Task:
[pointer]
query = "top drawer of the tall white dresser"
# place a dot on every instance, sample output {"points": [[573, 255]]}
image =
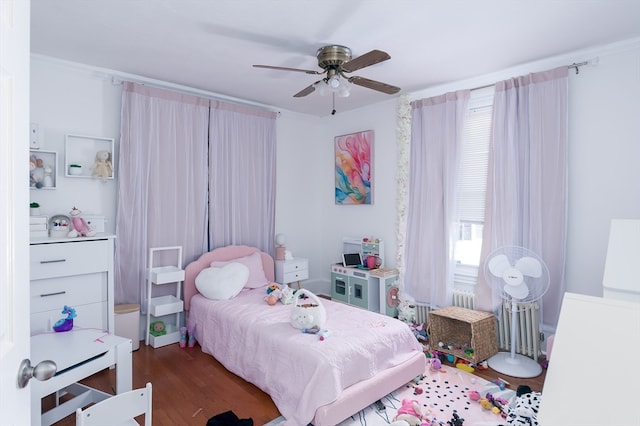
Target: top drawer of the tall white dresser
{"points": [[69, 258]]}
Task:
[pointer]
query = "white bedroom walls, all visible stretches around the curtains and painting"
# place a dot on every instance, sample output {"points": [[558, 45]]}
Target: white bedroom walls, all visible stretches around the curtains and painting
{"points": [[604, 111]]}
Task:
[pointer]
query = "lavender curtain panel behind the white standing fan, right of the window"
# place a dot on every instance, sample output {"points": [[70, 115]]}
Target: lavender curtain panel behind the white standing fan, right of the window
{"points": [[527, 180]]}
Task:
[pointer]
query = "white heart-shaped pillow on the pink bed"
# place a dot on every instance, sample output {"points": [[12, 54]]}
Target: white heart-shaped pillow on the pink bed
{"points": [[222, 283]]}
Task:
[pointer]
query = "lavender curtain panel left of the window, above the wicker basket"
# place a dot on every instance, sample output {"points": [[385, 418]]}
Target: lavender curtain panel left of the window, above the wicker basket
{"points": [[436, 135]]}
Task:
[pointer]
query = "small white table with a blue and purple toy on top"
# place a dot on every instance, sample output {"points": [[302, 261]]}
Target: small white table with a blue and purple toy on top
{"points": [[78, 354]]}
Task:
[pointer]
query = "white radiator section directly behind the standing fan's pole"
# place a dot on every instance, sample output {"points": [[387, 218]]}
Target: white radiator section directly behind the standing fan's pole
{"points": [[528, 333]]}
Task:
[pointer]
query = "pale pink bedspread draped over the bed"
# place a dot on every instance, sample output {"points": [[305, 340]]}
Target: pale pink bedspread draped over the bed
{"points": [[299, 371]]}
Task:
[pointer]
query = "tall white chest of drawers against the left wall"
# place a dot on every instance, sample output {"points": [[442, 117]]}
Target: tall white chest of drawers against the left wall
{"points": [[76, 272]]}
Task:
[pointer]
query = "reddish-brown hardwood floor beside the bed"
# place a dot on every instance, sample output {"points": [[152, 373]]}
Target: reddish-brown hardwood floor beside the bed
{"points": [[189, 387]]}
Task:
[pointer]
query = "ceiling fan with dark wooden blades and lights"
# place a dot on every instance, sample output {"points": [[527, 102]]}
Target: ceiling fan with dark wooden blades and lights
{"points": [[336, 63]]}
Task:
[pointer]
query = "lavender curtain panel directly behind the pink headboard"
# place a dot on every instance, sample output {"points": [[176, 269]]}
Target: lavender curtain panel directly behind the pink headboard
{"points": [[242, 163]]}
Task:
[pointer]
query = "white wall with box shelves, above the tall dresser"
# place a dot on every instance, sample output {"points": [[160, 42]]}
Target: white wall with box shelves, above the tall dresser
{"points": [[68, 99]]}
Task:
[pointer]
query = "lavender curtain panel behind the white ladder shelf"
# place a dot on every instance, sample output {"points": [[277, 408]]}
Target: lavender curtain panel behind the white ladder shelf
{"points": [[162, 181]]}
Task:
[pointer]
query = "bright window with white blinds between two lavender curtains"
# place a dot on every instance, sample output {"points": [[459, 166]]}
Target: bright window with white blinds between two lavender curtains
{"points": [[471, 187]]}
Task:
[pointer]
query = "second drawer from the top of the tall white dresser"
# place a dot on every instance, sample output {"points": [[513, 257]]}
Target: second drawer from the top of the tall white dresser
{"points": [[73, 291]]}
